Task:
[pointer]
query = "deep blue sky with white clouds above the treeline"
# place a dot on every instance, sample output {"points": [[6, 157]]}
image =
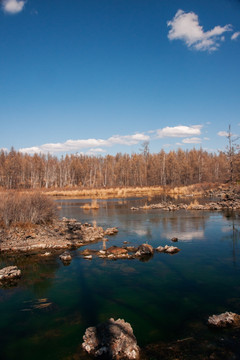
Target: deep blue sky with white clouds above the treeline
{"points": [[103, 76]]}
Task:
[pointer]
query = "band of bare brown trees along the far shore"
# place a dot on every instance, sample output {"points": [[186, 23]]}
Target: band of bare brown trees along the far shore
{"points": [[22, 171]]}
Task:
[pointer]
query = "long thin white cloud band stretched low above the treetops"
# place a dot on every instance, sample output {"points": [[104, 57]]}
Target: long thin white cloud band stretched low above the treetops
{"points": [[76, 145]]}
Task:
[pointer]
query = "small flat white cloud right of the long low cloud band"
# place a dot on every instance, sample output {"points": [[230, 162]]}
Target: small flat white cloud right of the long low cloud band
{"points": [[179, 131]]}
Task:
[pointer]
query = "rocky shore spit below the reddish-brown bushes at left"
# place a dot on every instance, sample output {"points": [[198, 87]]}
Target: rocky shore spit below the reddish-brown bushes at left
{"points": [[61, 234]]}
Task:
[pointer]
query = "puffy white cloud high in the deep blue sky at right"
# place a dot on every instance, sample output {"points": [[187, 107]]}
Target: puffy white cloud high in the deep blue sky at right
{"points": [[185, 26]]}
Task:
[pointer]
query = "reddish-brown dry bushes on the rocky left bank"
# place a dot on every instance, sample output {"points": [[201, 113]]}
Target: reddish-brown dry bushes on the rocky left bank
{"points": [[26, 208]]}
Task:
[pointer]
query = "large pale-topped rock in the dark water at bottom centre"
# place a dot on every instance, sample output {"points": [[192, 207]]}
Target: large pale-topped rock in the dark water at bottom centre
{"points": [[113, 339]]}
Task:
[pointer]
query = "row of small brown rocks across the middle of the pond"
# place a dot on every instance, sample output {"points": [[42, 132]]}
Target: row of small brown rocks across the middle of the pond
{"points": [[128, 252]]}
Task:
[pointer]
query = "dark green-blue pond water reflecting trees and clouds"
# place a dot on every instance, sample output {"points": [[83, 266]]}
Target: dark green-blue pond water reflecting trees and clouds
{"points": [[164, 299]]}
